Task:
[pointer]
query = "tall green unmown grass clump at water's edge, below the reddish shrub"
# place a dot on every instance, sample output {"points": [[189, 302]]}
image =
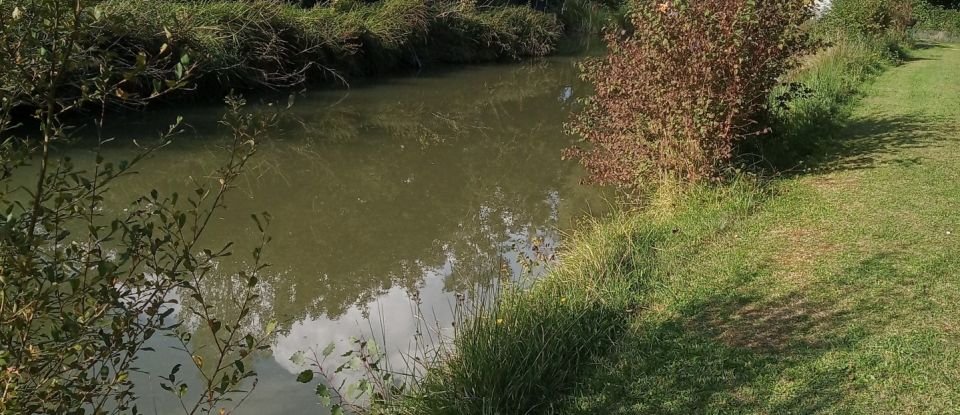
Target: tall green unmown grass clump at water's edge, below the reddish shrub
{"points": [[524, 353]]}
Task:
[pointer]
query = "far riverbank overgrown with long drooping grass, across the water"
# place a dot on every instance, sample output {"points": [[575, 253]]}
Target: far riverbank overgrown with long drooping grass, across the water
{"points": [[267, 44]]}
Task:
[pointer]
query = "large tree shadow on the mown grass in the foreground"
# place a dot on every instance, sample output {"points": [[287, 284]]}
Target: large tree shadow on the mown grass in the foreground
{"points": [[737, 352]]}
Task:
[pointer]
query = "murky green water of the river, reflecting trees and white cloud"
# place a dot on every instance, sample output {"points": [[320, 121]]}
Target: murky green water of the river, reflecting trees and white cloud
{"points": [[414, 187]]}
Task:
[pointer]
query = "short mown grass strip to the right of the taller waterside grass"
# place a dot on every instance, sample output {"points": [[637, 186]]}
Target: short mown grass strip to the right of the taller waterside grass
{"points": [[835, 290]]}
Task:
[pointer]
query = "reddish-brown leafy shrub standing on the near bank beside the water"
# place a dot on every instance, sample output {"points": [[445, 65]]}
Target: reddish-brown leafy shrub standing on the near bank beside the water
{"points": [[691, 79]]}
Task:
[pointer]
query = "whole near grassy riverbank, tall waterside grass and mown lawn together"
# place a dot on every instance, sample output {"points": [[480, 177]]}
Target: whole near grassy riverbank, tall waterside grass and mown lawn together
{"points": [[826, 288]]}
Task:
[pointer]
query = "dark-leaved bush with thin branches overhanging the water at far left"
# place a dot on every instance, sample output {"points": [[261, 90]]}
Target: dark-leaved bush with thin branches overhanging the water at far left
{"points": [[83, 289]]}
